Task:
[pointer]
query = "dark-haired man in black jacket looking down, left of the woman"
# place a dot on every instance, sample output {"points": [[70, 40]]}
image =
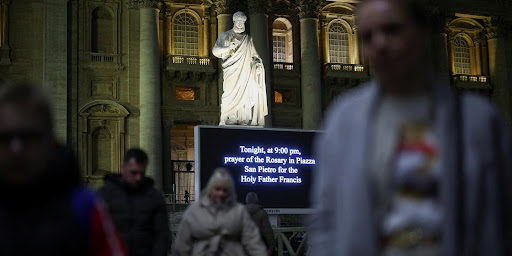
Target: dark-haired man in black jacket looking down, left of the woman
{"points": [[137, 208]]}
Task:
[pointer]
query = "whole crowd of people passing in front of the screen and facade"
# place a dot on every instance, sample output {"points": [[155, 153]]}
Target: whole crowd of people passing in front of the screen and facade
{"points": [[406, 166]]}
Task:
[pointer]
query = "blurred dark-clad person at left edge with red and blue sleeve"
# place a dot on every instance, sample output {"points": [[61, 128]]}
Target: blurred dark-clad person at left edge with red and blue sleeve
{"points": [[66, 219]]}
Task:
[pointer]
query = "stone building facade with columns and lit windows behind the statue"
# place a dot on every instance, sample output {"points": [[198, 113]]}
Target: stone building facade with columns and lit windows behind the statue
{"points": [[140, 73]]}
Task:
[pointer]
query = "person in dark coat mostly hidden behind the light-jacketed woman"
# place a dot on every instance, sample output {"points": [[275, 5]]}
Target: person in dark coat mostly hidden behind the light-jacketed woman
{"points": [[260, 217]]}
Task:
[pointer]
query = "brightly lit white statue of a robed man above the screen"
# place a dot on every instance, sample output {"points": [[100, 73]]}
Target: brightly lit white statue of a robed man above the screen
{"points": [[244, 97]]}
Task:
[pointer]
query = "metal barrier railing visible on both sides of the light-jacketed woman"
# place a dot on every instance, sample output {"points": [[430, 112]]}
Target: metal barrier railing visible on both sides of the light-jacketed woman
{"points": [[290, 241]]}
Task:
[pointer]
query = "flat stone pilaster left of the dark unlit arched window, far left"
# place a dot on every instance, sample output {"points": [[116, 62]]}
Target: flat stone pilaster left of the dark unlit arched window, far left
{"points": [[55, 63]]}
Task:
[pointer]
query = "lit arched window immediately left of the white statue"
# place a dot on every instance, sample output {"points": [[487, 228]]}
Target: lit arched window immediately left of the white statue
{"points": [[186, 35]]}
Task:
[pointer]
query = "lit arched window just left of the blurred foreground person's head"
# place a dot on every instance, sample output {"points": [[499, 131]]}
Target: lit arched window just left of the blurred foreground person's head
{"points": [[338, 43]]}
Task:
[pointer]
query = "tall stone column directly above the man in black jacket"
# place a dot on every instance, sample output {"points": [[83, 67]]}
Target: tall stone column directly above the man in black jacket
{"points": [[149, 90]]}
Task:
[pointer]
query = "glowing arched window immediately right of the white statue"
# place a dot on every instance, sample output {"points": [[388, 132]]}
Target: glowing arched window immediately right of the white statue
{"points": [[282, 42]]}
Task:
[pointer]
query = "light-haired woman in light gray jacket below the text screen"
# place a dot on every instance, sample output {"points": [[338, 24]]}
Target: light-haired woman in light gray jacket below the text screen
{"points": [[217, 225]]}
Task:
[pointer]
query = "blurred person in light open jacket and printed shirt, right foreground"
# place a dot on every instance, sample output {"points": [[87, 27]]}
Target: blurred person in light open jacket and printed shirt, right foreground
{"points": [[406, 166]]}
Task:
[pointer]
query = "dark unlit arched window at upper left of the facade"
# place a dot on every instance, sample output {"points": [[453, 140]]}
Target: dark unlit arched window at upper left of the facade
{"points": [[101, 31]]}
